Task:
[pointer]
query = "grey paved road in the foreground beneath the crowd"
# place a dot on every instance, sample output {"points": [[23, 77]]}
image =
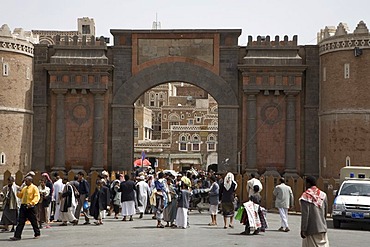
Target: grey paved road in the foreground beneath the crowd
{"points": [[142, 232]]}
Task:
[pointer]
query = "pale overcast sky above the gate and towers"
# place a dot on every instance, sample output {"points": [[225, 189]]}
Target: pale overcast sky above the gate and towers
{"points": [[261, 17]]}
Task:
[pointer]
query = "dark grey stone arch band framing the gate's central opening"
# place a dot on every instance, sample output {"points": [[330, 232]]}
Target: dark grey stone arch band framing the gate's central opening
{"points": [[126, 95]]}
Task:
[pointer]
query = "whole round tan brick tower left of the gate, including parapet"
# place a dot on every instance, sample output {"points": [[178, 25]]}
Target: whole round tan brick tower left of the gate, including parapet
{"points": [[16, 96]]}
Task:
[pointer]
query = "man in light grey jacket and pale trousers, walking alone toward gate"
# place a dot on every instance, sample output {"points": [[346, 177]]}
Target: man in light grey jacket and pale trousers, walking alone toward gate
{"points": [[284, 201]]}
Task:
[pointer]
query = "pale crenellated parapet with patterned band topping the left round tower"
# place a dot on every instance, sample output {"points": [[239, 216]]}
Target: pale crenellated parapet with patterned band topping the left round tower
{"points": [[18, 41]]}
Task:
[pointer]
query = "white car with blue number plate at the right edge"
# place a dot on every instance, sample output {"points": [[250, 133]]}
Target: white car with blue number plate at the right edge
{"points": [[352, 203]]}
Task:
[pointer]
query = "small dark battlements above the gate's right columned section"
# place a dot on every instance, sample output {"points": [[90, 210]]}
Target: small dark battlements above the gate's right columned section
{"points": [[266, 42]]}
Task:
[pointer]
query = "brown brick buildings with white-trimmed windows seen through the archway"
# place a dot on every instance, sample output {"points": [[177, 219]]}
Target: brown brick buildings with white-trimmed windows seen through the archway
{"points": [[175, 127]]}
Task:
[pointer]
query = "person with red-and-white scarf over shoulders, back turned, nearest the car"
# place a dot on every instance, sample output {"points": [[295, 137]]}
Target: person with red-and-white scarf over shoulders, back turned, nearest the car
{"points": [[314, 208]]}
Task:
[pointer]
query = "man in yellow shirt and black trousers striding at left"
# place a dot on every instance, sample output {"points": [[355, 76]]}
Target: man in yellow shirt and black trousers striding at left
{"points": [[29, 196]]}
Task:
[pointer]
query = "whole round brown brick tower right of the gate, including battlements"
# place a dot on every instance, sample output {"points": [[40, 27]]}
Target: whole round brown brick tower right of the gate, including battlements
{"points": [[344, 98]]}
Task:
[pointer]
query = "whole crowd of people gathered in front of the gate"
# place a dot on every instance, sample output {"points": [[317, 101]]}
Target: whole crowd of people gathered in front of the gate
{"points": [[167, 195]]}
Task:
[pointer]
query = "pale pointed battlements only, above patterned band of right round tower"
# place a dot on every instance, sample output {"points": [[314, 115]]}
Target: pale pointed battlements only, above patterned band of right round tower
{"points": [[331, 32]]}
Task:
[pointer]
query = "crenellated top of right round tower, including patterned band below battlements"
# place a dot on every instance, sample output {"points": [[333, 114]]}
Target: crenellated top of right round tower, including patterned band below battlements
{"points": [[331, 39]]}
